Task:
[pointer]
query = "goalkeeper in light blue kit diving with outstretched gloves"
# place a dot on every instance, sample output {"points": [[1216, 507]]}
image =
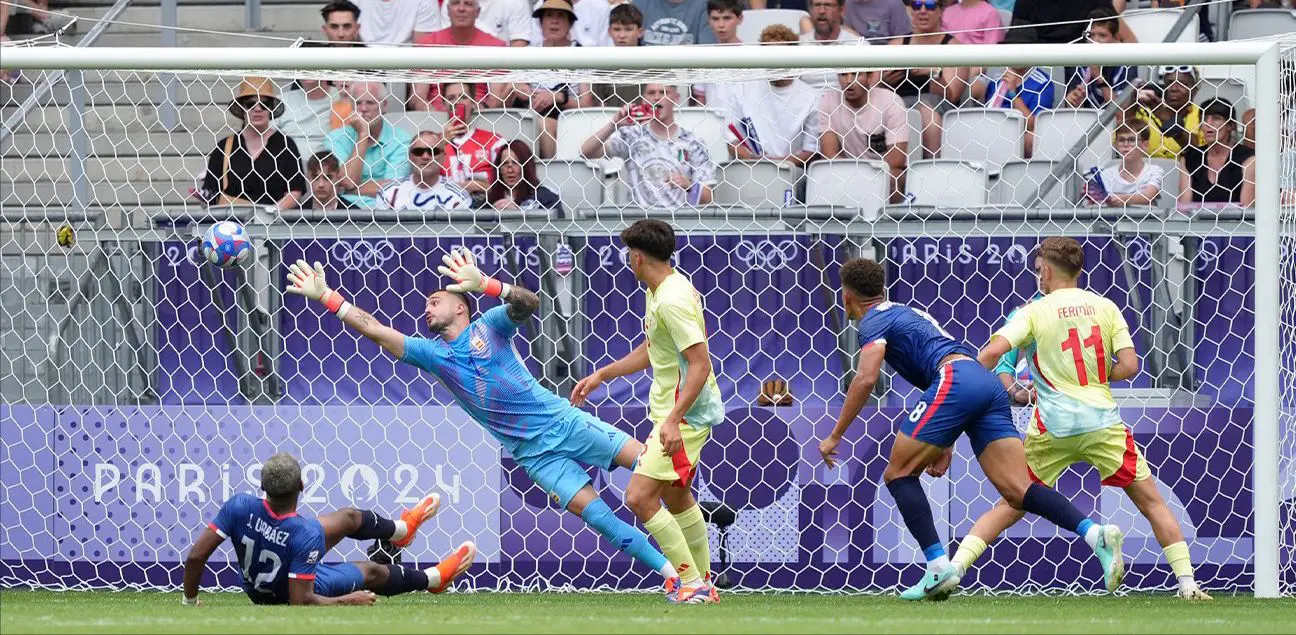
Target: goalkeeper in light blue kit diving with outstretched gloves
{"points": [[476, 361]]}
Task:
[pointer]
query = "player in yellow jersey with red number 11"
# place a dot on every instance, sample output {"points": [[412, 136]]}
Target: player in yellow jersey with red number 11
{"points": [[1076, 344]]}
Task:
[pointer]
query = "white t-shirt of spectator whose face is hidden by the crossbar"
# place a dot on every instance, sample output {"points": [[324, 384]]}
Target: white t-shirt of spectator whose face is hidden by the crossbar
{"points": [[781, 121]]}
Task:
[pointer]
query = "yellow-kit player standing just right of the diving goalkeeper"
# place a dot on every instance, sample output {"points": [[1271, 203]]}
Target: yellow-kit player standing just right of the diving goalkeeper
{"points": [[685, 404]]}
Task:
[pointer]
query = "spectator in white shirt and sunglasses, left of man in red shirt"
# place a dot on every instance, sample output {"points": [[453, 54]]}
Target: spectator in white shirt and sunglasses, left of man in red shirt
{"points": [[423, 189]]}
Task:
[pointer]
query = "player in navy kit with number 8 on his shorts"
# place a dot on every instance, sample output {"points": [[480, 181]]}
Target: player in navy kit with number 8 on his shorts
{"points": [[960, 397]]}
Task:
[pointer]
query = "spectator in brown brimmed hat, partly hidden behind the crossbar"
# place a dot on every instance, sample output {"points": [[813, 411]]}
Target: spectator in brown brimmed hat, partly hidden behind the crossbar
{"points": [[550, 100]]}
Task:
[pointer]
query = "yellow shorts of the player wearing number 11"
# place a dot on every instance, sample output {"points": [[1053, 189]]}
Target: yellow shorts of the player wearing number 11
{"points": [[1111, 452]]}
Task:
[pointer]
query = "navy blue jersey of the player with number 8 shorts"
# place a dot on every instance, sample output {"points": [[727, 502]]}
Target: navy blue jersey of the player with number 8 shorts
{"points": [[916, 343]]}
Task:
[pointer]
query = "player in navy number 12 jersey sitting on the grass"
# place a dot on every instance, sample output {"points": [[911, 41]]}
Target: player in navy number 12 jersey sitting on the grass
{"points": [[279, 551]]}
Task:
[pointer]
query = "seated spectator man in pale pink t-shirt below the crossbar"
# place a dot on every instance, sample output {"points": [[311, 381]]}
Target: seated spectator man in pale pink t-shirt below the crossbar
{"points": [[866, 121]]}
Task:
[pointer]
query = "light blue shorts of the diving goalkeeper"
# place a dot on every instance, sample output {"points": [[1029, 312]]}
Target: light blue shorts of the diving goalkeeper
{"points": [[557, 459]]}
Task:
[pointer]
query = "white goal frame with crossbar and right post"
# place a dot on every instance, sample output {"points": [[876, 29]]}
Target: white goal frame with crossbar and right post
{"points": [[1263, 56]]}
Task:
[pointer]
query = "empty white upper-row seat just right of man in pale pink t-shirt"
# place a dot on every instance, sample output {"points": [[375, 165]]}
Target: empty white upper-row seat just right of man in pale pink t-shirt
{"points": [[987, 135]]}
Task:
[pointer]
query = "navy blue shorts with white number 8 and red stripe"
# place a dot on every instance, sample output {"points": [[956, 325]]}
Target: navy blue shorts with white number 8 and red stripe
{"points": [[966, 398]]}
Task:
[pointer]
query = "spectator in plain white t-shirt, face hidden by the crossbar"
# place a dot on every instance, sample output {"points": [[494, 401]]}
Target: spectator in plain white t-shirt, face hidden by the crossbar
{"points": [[774, 120]]}
